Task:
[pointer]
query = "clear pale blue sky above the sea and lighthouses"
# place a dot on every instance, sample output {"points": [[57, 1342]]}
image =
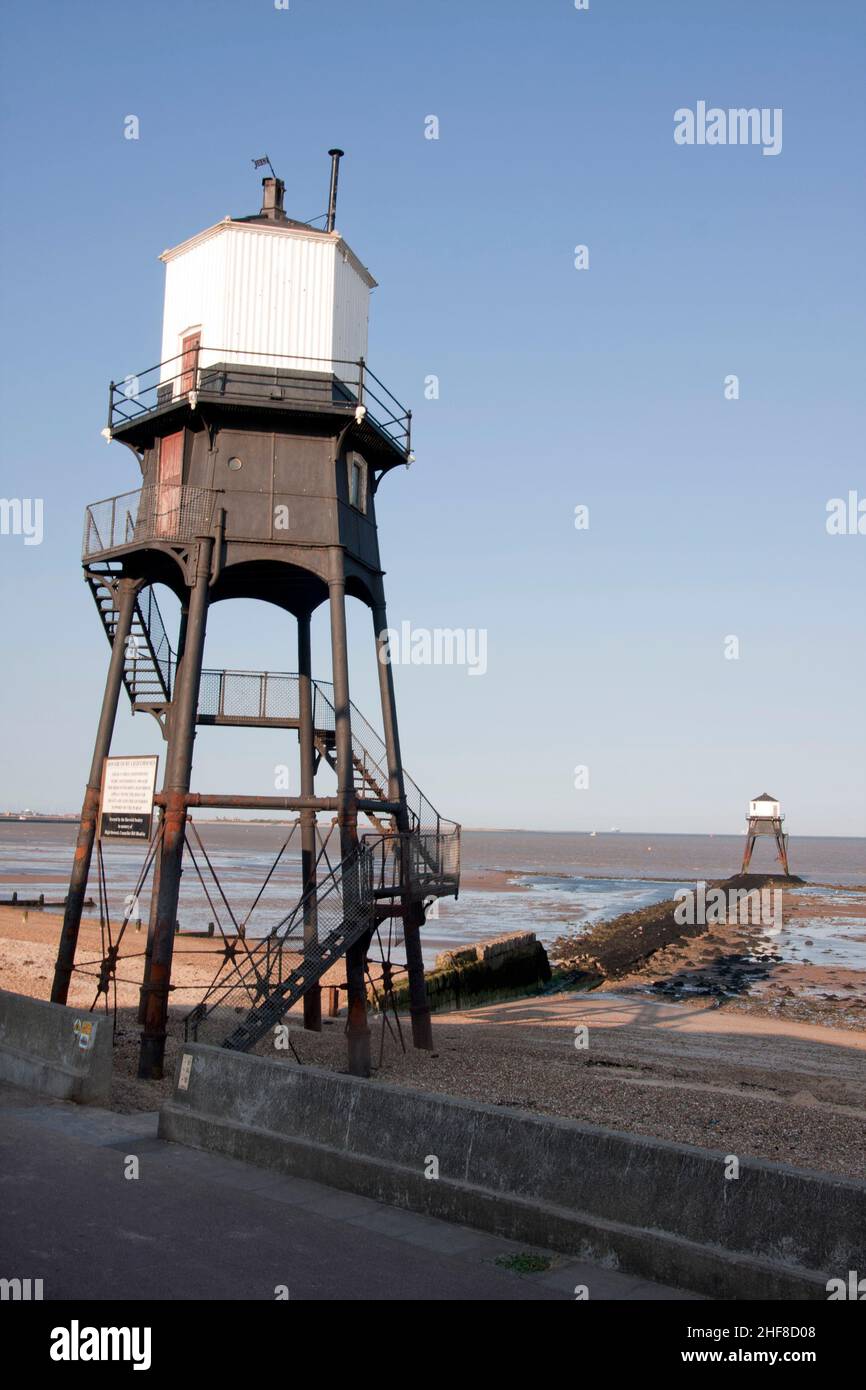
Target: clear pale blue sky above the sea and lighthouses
{"points": [[558, 387]]}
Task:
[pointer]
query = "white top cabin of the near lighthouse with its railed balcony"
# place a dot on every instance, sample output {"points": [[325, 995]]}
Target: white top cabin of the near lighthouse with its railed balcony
{"points": [[269, 312]]}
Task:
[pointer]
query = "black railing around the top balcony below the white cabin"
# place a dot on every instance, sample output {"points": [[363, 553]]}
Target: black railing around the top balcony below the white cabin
{"points": [[295, 382]]}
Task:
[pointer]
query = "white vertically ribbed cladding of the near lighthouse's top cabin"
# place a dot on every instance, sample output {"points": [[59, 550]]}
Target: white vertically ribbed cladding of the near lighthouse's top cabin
{"points": [[266, 294]]}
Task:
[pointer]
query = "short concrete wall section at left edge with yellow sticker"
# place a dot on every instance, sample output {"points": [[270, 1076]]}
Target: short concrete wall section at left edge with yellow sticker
{"points": [[54, 1050]]}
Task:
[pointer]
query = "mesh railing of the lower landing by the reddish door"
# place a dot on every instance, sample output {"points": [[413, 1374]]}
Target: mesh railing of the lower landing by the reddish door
{"points": [[168, 514]]}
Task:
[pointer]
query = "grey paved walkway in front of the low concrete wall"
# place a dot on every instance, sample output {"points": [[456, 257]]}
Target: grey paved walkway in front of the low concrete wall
{"points": [[195, 1225]]}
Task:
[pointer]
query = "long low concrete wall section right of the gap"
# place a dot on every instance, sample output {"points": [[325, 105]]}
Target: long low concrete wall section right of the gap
{"points": [[662, 1211]]}
